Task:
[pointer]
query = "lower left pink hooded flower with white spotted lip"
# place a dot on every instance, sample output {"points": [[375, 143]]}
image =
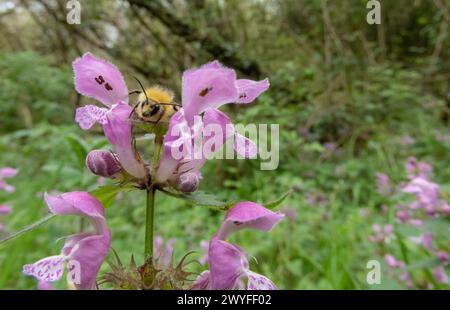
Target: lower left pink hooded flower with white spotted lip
{"points": [[82, 253]]}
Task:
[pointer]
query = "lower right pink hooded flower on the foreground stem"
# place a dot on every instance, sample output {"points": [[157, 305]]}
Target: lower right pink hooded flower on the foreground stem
{"points": [[228, 263]]}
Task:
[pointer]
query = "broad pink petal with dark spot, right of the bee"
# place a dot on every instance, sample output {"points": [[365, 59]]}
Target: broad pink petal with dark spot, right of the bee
{"points": [[207, 87]]}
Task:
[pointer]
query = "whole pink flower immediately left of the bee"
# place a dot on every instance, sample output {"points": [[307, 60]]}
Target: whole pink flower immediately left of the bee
{"points": [[102, 81]]}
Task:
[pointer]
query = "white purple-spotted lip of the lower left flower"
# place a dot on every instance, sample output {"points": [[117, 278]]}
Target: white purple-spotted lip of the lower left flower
{"points": [[48, 269]]}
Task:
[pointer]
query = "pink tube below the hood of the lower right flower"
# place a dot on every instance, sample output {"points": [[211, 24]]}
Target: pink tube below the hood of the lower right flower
{"points": [[226, 262]]}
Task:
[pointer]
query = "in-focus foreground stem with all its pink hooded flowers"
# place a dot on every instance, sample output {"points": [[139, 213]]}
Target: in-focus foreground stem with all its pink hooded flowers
{"points": [[204, 90]]}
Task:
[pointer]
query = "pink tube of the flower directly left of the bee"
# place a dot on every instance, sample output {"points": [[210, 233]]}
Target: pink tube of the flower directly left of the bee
{"points": [[118, 132]]}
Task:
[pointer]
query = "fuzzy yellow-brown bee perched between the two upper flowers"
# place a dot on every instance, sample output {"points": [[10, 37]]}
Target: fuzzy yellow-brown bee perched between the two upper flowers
{"points": [[155, 104]]}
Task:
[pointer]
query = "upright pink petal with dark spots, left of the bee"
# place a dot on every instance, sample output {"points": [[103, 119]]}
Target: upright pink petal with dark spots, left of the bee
{"points": [[99, 79]]}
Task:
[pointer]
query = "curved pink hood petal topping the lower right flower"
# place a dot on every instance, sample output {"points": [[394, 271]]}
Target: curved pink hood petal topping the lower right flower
{"points": [[248, 214]]}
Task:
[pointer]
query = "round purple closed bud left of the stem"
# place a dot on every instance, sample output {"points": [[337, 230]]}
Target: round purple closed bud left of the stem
{"points": [[103, 163]]}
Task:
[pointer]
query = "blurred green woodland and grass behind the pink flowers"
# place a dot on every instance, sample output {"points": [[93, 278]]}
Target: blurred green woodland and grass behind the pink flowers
{"points": [[346, 94]]}
